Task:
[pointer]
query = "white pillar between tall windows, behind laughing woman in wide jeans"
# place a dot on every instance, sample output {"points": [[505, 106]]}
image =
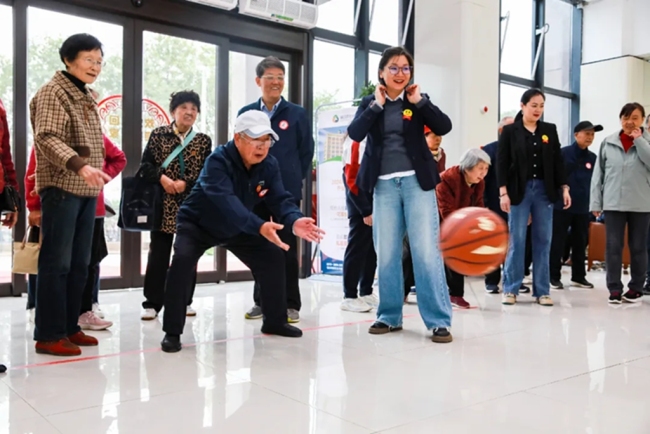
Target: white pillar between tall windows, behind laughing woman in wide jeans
{"points": [[457, 64]]}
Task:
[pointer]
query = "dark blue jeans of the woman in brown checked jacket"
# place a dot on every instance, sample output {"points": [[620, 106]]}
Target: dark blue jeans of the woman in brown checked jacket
{"points": [[67, 223]]}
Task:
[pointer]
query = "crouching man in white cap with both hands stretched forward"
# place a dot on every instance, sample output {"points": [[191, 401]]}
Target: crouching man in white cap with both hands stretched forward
{"points": [[236, 178]]}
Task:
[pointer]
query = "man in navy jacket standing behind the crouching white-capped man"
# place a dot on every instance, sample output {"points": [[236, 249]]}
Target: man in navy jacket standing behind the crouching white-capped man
{"points": [[294, 152]]}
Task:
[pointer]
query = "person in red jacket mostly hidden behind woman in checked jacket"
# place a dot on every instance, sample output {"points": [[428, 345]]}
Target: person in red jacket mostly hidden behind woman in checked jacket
{"points": [[91, 317]]}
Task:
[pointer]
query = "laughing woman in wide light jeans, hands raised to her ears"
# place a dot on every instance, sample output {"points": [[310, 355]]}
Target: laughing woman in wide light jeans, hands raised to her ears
{"points": [[399, 168]]}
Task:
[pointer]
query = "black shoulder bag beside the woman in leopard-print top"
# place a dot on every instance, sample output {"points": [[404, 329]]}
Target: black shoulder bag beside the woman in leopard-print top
{"points": [[141, 205]]}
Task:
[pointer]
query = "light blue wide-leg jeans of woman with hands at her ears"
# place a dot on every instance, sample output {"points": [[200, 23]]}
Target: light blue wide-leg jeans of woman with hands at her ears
{"points": [[401, 206]]}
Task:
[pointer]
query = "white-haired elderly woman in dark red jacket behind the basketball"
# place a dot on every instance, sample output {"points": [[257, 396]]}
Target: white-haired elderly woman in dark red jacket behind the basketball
{"points": [[460, 187]]}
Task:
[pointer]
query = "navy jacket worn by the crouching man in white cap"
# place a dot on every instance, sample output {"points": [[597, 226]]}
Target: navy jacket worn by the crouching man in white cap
{"points": [[222, 199]]}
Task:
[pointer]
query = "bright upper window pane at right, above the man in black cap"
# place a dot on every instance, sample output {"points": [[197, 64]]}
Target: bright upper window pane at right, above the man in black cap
{"points": [[557, 45]]}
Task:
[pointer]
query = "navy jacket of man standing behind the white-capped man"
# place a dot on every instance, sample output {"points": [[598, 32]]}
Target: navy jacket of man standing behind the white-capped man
{"points": [[295, 149]]}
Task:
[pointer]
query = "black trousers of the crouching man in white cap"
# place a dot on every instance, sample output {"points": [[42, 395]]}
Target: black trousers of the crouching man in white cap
{"points": [[265, 260]]}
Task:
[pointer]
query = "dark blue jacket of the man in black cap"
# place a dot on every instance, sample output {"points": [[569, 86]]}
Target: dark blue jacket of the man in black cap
{"points": [[579, 167]]}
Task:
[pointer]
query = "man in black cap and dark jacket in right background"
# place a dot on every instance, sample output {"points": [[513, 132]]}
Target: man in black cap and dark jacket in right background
{"points": [[579, 164]]}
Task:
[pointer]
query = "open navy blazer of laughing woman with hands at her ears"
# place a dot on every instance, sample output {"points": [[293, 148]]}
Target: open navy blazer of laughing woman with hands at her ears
{"points": [[369, 122]]}
